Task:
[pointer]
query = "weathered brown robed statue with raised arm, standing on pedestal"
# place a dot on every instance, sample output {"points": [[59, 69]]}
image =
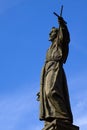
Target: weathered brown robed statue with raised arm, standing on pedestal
{"points": [[54, 96]]}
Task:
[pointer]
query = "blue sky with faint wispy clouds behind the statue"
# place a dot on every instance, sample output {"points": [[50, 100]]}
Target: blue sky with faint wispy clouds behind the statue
{"points": [[24, 29]]}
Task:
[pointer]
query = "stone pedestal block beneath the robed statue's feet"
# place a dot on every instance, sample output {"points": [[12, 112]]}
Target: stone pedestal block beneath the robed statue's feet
{"points": [[56, 125]]}
